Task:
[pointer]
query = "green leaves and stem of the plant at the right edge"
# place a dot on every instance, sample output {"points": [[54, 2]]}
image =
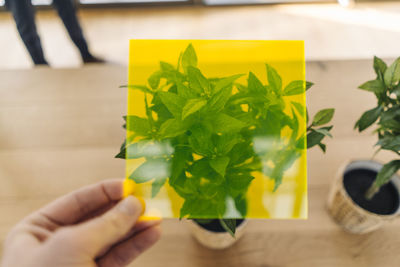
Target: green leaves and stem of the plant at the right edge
{"points": [[386, 116]]}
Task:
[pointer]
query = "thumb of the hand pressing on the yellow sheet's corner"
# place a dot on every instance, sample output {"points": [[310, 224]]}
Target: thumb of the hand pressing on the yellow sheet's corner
{"points": [[107, 229]]}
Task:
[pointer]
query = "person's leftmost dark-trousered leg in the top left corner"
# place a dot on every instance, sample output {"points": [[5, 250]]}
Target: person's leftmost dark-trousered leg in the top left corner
{"points": [[24, 16]]}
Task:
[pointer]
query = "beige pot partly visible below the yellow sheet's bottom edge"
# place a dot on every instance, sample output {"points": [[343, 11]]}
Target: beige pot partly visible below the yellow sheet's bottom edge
{"points": [[215, 240]]}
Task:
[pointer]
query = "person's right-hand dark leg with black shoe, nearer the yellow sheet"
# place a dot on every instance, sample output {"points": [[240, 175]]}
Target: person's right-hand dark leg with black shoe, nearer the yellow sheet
{"points": [[66, 11]]}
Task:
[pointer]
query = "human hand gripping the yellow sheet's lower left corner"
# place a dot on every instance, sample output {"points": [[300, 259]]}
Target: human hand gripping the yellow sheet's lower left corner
{"points": [[88, 227]]}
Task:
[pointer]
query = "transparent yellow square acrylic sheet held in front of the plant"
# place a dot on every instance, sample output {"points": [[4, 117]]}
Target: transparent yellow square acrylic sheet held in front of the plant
{"points": [[216, 128]]}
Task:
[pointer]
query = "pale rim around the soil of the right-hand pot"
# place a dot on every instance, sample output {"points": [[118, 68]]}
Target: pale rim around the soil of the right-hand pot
{"points": [[374, 166]]}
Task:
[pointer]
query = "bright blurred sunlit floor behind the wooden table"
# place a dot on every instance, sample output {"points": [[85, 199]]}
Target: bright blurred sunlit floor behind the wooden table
{"points": [[330, 31]]}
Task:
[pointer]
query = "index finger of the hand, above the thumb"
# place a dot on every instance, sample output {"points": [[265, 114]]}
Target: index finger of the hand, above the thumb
{"points": [[74, 206]]}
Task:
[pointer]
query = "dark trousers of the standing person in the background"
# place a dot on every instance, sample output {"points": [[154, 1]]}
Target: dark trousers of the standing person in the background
{"points": [[24, 16]]}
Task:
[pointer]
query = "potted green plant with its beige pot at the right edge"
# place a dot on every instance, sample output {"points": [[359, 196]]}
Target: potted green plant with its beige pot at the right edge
{"points": [[366, 193]]}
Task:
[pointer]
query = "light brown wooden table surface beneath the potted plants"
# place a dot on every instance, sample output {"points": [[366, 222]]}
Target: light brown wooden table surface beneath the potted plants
{"points": [[60, 129]]}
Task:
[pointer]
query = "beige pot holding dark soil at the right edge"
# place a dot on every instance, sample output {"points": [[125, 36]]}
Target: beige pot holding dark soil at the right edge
{"points": [[349, 215]]}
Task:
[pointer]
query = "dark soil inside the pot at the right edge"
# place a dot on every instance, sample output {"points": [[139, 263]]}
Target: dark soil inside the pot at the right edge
{"points": [[357, 182]]}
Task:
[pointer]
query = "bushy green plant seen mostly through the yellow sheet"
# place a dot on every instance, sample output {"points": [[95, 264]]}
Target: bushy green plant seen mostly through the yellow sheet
{"points": [[207, 137]]}
